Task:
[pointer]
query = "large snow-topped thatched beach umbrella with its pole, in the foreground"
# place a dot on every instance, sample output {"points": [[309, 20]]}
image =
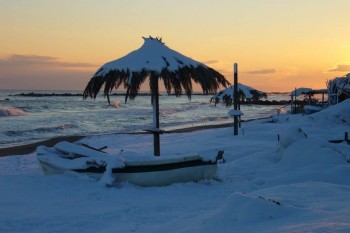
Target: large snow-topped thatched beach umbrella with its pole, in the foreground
{"points": [[154, 61]]}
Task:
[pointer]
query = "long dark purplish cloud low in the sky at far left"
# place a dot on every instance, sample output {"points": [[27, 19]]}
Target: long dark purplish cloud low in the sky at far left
{"points": [[20, 60]]}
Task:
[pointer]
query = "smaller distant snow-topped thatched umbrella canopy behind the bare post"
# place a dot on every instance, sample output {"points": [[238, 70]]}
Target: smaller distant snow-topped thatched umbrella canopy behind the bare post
{"points": [[245, 94]]}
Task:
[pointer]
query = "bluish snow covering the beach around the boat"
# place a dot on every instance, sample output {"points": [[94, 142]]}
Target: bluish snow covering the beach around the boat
{"points": [[299, 184]]}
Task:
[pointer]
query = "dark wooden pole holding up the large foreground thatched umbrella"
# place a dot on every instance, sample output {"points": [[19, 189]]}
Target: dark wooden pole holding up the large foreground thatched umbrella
{"points": [[155, 103]]}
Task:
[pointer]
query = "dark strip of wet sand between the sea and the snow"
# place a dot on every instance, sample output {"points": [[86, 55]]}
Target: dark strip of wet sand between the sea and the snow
{"points": [[30, 148]]}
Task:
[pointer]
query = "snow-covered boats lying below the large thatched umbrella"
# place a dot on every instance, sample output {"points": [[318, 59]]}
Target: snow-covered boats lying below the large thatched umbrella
{"points": [[151, 171]]}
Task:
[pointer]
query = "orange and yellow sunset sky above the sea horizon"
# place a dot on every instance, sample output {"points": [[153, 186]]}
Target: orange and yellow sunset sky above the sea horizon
{"points": [[279, 45]]}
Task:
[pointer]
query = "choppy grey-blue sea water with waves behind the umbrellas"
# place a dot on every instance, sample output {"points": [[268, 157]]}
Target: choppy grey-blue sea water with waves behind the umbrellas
{"points": [[27, 119]]}
